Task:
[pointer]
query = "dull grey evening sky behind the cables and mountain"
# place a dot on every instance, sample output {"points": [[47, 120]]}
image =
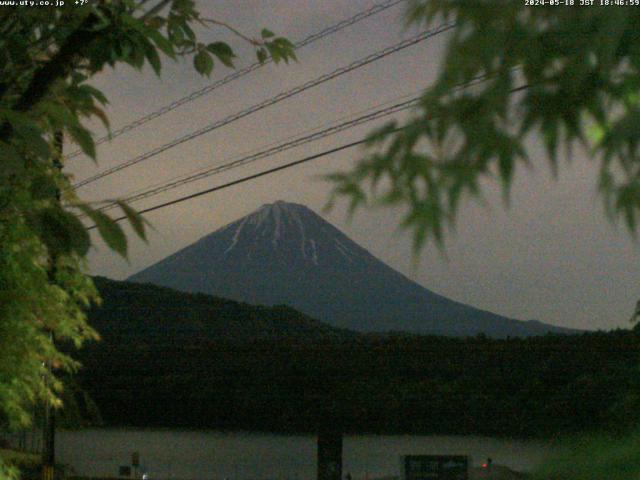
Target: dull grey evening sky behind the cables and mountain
{"points": [[552, 255]]}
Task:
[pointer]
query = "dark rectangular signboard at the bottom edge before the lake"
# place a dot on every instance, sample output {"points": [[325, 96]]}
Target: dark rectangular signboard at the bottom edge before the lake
{"points": [[434, 467]]}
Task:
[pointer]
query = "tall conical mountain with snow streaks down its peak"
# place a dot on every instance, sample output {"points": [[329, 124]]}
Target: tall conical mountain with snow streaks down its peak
{"points": [[284, 253]]}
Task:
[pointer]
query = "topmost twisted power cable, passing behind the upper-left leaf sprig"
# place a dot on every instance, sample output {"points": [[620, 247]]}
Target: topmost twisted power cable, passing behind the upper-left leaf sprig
{"points": [[375, 9]]}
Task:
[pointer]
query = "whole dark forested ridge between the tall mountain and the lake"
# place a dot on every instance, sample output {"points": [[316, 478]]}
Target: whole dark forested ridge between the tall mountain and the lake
{"points": [[170, 359]]}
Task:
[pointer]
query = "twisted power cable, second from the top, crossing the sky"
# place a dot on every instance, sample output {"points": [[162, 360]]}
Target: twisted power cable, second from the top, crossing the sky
{"points": [[278, 98]]}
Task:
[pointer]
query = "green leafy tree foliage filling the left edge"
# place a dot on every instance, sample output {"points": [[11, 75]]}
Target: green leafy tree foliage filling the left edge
{"points": [[47, 59]]}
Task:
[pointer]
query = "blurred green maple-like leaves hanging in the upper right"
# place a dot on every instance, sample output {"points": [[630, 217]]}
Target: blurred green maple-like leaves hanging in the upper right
{"points": [[570, 75]]}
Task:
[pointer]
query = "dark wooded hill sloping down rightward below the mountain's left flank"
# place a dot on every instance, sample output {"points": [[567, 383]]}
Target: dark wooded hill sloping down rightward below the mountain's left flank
{"points": [[133, 314]]}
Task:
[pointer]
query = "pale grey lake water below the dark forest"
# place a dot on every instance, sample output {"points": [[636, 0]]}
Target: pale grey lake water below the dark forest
{"points": [[169, 454]]}
